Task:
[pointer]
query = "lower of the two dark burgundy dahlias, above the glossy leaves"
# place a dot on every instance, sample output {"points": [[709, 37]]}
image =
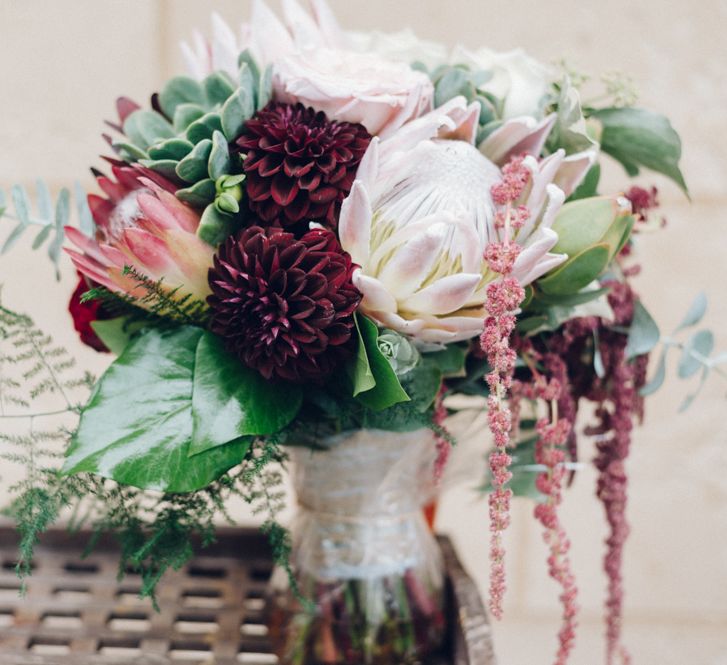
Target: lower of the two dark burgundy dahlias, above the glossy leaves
{"points": [[284, 306]]}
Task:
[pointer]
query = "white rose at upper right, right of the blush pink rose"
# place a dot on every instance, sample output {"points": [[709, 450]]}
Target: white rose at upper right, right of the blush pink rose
{"points": [[518, 79]]}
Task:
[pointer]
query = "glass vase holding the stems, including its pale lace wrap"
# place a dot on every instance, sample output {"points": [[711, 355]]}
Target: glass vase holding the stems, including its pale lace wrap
{"points": [[368, 569]]}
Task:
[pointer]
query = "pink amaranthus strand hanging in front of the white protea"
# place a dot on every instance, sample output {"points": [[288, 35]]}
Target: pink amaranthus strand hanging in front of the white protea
{"points": [[503, 298]]}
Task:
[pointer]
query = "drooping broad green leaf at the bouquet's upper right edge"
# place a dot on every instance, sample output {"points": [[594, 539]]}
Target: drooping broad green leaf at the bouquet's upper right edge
{"points": [[637, 137]]}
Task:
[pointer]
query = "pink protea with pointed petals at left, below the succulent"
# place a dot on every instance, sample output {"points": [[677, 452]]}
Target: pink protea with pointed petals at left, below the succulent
{"points": [[144, 226]]}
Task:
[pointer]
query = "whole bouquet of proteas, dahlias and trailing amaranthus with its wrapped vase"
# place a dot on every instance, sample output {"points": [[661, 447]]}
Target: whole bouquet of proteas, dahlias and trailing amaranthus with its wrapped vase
{"points": [[337, 242]]}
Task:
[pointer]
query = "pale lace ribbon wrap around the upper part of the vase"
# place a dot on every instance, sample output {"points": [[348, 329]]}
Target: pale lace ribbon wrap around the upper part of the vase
{"points": [[360, 505]]}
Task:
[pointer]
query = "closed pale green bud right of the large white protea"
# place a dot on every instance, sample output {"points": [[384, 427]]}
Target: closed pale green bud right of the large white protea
{"points": [[591, 232]]}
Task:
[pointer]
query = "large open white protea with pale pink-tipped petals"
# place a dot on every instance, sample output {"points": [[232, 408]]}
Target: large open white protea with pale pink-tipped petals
{"points": [[420, 216]]}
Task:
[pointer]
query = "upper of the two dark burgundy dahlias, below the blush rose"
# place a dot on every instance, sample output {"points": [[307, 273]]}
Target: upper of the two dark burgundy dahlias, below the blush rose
{"points": [[299, 165]]}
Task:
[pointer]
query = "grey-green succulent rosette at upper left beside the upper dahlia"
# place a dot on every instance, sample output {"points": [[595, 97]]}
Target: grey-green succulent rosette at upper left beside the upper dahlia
{"points": [[188, 142]]}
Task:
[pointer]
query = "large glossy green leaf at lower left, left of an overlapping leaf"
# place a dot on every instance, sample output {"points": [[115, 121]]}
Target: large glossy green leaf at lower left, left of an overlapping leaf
{"points": [[137, 427]]}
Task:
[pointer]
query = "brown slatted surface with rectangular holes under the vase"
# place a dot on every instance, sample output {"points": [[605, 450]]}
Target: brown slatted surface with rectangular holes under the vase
{"points": [[76, 611]]}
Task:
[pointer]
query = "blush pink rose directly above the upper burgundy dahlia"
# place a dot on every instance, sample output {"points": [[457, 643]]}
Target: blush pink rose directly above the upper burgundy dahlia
{"points": [[354, 87]]}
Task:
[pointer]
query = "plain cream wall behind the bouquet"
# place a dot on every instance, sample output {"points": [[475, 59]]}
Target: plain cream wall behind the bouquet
{"points": [[63, 63]]}
